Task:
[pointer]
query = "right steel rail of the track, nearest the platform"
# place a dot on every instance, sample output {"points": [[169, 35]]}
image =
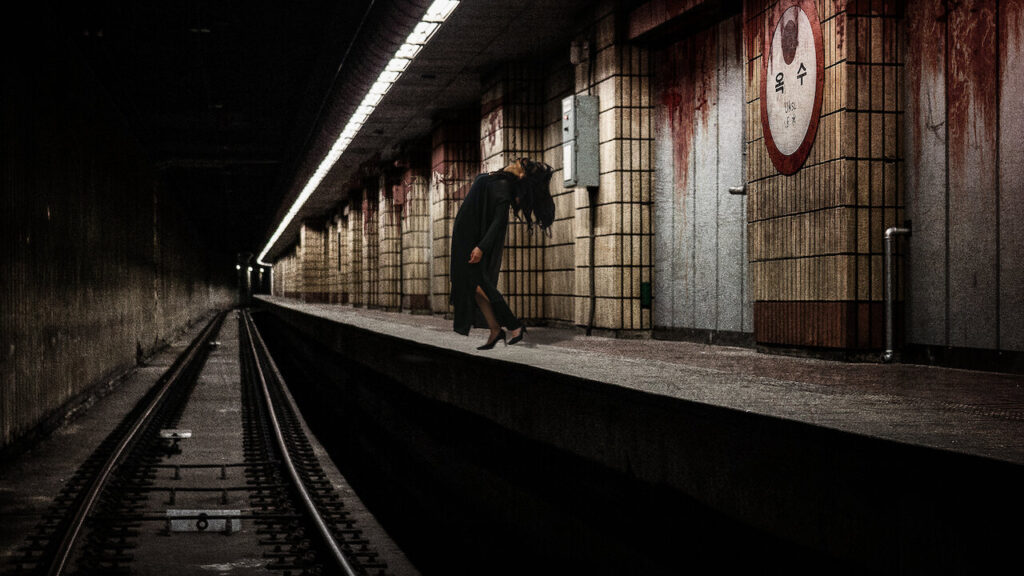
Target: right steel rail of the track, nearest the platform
{"points": [[329, 541]]}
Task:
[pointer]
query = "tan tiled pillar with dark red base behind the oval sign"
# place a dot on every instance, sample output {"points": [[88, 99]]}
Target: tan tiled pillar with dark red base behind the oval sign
{"points": [[817, 235]]}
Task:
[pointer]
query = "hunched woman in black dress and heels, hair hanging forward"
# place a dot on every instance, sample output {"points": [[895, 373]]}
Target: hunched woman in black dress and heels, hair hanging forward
{"points": [[478, 240]]}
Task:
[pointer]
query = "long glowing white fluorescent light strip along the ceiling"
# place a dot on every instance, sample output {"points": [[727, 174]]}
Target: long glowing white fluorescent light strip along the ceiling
{"points": [[424, 31]]}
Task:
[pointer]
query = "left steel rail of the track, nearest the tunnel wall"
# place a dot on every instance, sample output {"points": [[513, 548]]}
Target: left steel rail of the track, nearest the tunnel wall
{"points": [[100, 481]]}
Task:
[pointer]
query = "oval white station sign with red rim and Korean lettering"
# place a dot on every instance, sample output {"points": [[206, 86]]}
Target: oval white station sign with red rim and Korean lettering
{"points": [[792, 84]]}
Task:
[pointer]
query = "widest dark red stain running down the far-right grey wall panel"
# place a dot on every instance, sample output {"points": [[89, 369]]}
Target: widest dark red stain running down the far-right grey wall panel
{"points": [[971, 83]]}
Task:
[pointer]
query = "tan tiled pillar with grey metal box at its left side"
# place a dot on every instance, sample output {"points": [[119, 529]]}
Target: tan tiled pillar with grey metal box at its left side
{"points": [[619, 73]]}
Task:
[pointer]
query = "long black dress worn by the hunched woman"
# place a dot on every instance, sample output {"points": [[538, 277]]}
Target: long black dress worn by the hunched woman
{"points": [[482, 222]]}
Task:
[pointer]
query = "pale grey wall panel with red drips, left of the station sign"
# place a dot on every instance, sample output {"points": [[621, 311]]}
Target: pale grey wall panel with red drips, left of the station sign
{"points": [[701, 273]]}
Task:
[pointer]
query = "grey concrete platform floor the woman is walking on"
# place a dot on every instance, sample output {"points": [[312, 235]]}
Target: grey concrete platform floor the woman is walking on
{"points": [[972, 413]]}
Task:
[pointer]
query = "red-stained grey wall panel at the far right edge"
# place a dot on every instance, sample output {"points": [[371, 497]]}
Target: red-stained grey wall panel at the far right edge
{"points": [[966, 174]]}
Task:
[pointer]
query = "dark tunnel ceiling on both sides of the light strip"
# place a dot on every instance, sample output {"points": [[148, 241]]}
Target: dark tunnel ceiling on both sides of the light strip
{"points": [[236, 101]]}
